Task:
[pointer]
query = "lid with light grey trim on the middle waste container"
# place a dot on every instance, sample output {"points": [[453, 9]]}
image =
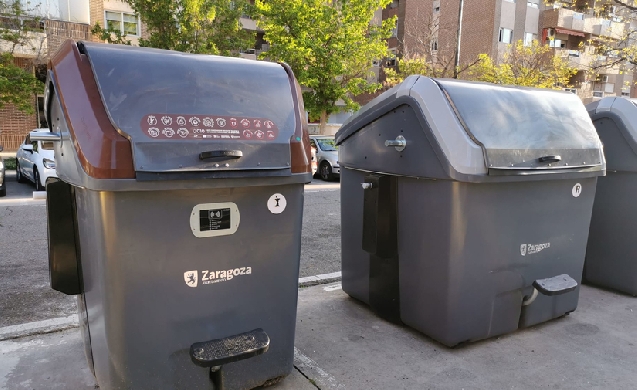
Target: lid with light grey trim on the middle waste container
{"points": [[488, 129]]}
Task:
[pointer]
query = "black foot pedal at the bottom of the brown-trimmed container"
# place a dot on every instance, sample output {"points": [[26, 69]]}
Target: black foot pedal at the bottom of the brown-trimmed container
{"points": [[215, 353]]}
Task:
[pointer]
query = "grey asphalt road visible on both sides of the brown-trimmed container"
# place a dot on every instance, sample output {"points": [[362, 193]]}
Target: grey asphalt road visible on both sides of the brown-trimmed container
{"points": [[25, 295]]}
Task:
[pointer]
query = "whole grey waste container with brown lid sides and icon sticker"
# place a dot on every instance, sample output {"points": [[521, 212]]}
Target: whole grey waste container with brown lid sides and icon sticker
{"points": [[177, 215]]}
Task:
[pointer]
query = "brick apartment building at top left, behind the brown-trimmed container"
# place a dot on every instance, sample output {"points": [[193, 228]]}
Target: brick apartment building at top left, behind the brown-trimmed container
{"points": [[61, 20]]}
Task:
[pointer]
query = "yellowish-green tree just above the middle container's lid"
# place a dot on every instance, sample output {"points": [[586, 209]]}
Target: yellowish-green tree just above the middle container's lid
{"points": [[529, 66]]}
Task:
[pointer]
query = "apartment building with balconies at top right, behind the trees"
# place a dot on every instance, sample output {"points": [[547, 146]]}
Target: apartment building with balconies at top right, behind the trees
{"points": [[430, 27]]}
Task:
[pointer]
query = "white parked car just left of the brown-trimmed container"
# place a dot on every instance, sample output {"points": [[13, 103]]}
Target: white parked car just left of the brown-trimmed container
{"points": [[35, 161]]}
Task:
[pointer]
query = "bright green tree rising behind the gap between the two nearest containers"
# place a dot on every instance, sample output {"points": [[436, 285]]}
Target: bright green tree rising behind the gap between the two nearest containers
{"points": [[329, 44]]}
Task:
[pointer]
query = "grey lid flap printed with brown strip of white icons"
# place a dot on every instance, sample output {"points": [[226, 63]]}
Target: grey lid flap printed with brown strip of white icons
{"points": [[173, 106]]}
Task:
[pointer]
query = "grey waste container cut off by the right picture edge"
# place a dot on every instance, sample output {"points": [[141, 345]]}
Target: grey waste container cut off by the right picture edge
{"points": [[611, 256]]}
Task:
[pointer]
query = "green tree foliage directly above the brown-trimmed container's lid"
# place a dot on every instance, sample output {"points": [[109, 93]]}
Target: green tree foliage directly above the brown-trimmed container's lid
{"points": [[195, 26]]}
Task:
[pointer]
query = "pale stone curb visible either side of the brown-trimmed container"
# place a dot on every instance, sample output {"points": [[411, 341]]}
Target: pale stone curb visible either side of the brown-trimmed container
{"points": [[62, 323]]}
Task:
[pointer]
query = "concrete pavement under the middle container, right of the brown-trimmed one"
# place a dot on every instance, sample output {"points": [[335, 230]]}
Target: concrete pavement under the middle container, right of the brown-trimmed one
{"points": [[346, 346]]}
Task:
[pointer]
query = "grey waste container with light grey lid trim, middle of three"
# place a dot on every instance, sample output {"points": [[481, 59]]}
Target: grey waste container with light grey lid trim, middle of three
{"points": [[466, 206]]}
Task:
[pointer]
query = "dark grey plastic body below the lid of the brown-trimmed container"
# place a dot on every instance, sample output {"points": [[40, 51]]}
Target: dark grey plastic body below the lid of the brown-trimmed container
{"points": [[140, 315]]}
